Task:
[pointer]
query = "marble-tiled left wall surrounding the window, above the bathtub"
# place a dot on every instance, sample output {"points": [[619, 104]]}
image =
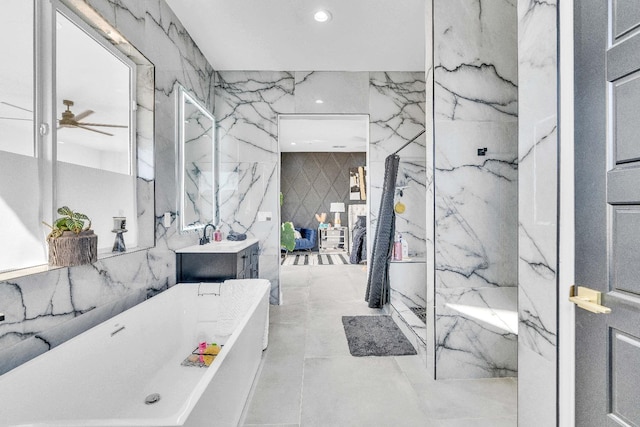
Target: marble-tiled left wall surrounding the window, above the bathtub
{"points": [[42, 310]]}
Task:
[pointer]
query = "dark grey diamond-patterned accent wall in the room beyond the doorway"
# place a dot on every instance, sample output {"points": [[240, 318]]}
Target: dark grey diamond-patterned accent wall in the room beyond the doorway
{"points": [[310, 182]]}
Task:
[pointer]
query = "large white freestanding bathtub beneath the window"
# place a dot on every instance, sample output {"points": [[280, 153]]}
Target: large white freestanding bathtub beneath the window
{"points": [[103, 376]]}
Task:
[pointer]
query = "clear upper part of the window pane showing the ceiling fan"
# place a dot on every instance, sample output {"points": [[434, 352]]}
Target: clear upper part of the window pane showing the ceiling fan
{"points": [[93, 100]]}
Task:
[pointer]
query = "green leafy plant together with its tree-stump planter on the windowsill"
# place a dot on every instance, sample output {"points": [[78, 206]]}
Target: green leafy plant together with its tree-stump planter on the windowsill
{"points": [[71, 241]]}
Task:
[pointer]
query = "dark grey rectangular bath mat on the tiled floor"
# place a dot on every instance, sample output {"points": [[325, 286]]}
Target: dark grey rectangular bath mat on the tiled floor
{"points": [[375, 336]]}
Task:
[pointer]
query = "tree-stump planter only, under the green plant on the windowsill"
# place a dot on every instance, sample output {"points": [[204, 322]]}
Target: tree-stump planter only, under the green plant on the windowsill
{"points": [[72, 249]]}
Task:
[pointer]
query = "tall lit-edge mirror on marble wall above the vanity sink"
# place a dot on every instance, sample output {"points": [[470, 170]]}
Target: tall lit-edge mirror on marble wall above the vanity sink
{"points": [[196, 170]]}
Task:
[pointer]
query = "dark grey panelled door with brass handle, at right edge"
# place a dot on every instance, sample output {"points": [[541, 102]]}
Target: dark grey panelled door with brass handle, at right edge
{"points": [[607, 161]]}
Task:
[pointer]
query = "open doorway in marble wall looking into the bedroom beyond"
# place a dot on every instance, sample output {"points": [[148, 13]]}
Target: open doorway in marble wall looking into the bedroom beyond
{"points": [[324, 188]]}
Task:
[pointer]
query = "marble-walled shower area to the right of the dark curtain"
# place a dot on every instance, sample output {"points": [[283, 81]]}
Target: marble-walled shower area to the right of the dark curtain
{"points": [[457, 295]]}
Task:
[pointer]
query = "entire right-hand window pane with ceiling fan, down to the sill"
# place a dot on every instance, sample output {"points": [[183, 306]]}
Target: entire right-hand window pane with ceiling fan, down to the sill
{"points": [[94, 149]]}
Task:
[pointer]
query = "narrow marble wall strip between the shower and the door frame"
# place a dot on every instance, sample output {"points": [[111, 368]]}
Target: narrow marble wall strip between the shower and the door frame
{"points": [[537, 228]]}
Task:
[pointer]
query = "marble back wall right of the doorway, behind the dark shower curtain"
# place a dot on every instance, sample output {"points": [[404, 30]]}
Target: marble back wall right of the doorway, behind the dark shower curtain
{"points": [[397, 103]]}
